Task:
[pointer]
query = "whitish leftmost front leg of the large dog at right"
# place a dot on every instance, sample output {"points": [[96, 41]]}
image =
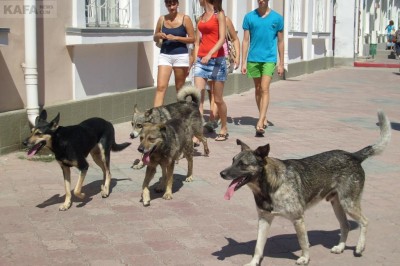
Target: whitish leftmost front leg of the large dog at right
{"points": [[264, 223]]}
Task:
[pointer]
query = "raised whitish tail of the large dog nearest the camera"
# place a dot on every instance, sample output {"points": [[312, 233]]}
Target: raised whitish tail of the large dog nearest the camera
{"points": [[380, 145]]}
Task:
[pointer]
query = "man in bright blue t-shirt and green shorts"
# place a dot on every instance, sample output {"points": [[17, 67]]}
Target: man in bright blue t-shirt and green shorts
{"points": [[263, 37]]}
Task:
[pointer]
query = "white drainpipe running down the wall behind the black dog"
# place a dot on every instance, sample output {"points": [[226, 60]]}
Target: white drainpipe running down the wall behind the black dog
{"points": [[30, 65]]}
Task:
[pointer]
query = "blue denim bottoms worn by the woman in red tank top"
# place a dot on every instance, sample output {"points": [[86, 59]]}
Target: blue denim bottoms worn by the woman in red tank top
{"points": [[215, 69]]}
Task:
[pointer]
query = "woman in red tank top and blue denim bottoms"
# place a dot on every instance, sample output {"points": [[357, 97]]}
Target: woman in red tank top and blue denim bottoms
{"points": [[210, 58]]}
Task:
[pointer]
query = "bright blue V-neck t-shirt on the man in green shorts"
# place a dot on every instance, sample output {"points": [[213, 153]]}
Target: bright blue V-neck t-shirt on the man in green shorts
{"points": [[263, 35]]}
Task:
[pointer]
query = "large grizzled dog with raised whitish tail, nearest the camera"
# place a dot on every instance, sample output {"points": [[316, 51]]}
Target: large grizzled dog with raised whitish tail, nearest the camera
{"points": [[288, 187]]}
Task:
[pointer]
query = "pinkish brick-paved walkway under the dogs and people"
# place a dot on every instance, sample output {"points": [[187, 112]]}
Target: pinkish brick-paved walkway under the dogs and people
{"points": [[331, 109]]}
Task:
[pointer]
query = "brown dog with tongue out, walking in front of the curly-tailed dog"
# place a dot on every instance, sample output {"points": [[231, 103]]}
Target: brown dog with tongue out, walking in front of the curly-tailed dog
{"points": [[162, 144]]}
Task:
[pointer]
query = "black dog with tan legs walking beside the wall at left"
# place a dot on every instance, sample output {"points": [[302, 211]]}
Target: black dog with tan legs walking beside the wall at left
{"points": [[71, 145]]}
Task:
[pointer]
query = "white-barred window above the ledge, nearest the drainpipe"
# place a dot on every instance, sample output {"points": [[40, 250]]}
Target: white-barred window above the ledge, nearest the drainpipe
{"points": [[107, 13]]}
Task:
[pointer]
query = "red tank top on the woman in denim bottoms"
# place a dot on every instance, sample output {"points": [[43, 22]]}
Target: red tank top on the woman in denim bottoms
{"points": [[209, 37]]}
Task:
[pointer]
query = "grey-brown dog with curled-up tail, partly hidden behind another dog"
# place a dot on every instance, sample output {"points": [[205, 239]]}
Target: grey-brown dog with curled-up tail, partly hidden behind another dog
{"points": [[185, 110]]}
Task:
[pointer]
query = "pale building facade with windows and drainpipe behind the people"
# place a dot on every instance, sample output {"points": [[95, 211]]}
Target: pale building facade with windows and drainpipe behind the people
{"points": [[97, 57]]}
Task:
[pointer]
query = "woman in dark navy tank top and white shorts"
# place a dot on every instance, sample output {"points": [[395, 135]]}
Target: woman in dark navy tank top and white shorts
{"points": [[174, 31]]}
